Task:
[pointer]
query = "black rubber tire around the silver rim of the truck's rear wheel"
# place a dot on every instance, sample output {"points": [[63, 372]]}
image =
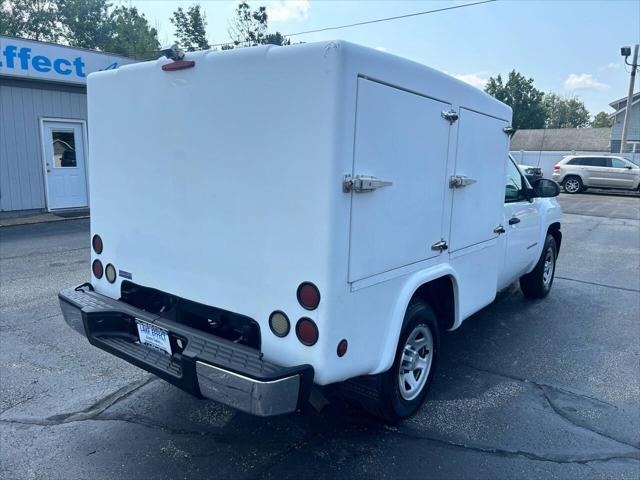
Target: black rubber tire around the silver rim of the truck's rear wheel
{"points": [[389, 403]]}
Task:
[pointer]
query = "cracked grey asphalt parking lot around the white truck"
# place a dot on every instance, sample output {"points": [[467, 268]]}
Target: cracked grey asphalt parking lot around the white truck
{"points": [[525, 389]]}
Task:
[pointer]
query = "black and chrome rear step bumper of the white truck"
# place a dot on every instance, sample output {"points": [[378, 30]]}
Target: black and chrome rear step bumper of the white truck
{"points": [[207, 366]]}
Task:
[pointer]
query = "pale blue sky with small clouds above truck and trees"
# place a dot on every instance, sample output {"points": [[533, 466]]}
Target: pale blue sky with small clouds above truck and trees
{"points": [[571, 47]]}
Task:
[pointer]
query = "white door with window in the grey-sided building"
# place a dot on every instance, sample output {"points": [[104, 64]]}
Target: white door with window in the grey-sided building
{"points": [[65, 164]]}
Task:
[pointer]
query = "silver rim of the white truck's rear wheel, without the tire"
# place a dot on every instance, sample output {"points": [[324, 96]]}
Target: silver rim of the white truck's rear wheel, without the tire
{"points": [[415, 364]]}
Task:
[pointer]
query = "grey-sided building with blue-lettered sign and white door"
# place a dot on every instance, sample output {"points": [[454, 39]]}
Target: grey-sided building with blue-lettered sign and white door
{"points": [[43, 115]]}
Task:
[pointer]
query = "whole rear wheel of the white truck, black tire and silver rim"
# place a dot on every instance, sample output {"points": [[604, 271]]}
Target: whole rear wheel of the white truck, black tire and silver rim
{"points": [[404, 386]]}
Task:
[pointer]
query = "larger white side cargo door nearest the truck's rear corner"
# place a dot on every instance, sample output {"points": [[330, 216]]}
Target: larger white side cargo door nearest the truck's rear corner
{"points": [[401, 138]]}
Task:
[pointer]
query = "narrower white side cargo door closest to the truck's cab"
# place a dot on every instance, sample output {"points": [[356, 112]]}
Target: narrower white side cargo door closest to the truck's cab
{"points": [[483, 148]]}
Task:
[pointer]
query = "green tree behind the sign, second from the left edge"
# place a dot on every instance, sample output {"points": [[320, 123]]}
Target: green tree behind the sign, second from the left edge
{"points": [[85, 23]]}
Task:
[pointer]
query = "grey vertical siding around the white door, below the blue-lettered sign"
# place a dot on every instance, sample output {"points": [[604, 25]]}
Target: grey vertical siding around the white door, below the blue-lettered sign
{"points": [[22, 104]]}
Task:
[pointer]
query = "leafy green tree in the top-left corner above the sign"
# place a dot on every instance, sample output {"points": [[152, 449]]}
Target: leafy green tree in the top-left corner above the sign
{"points": [[35, 19]]}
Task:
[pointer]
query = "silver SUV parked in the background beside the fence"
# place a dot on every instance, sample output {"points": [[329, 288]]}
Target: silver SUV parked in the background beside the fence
{"points": [[577, 172]]}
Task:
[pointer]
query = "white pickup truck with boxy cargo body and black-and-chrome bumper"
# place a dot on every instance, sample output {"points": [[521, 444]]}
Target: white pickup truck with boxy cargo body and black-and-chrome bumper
{"points": [[268, 219]]}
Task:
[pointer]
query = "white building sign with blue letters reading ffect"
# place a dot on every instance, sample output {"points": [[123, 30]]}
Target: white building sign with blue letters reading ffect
{"points": [[48, 61]]}
